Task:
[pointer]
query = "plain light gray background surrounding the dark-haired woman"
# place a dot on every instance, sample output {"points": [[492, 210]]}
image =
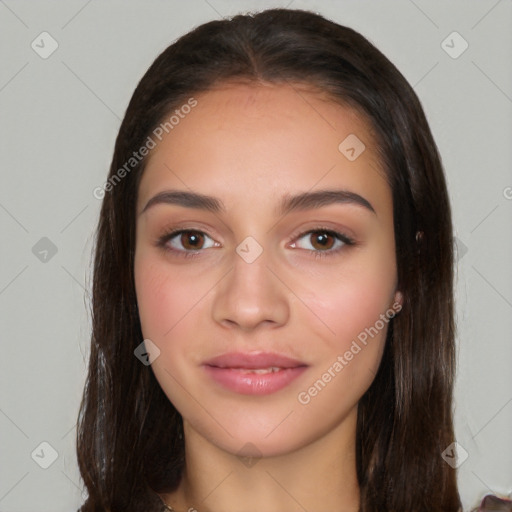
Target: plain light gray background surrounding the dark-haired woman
{"points": [[59, 119]]}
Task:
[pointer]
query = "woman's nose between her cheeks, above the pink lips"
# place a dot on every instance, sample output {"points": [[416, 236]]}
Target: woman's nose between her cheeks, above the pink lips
{"points": [[251, 294]]}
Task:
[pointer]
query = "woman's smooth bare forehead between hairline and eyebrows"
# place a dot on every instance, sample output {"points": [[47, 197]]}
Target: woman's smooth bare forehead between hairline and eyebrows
{"points": [[265, 140]]}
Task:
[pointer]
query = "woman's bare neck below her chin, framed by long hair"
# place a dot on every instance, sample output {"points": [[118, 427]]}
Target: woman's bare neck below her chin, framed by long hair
{"points": [[318, 476]]}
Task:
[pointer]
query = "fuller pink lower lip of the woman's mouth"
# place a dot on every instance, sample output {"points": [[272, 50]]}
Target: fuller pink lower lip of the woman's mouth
{"points": [[253, 383]]}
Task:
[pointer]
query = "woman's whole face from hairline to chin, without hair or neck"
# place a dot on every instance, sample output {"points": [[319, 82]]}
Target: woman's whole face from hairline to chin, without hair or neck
{"points": [[270, 313]]}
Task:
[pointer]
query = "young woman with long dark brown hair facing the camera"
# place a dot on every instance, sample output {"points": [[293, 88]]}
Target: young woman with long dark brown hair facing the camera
{"points": [[276, 228]]}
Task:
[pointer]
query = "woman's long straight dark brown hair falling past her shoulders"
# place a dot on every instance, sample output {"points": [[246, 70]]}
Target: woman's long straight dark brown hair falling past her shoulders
{"points": [[129, 439]]}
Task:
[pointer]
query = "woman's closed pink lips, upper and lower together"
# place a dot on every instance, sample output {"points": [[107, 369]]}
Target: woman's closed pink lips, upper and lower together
{"points": [[228, 370]]}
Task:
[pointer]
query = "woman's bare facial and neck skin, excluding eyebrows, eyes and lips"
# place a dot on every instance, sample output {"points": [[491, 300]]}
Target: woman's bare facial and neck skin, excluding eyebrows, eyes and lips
{"points": [[249, 145]]}
